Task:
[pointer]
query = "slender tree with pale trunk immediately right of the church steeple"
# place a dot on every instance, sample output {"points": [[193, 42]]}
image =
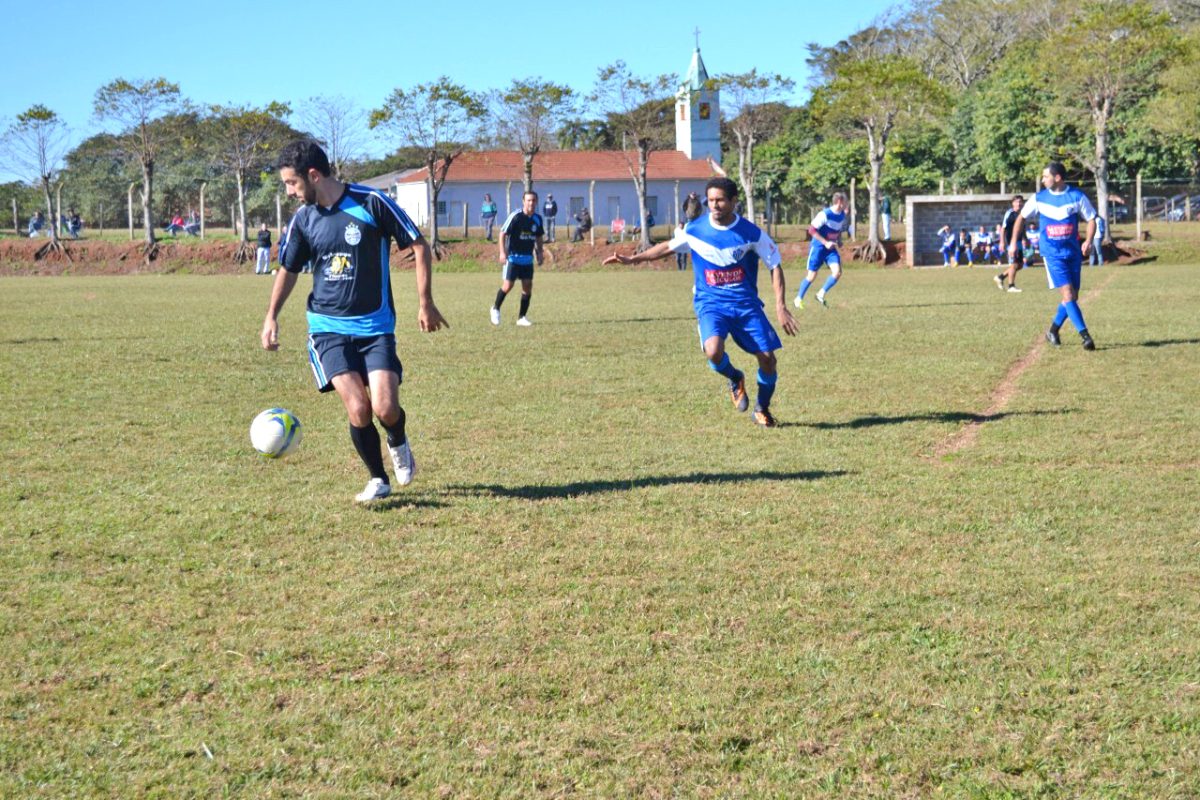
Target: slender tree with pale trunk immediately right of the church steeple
{"points": [[755, 116]]}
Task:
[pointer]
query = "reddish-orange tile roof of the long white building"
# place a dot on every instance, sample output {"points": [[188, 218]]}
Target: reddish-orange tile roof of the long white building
{"points": [[568, 166]]}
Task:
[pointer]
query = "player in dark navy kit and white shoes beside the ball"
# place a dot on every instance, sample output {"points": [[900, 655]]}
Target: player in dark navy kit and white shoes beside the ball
{"points": [[345, 231]]}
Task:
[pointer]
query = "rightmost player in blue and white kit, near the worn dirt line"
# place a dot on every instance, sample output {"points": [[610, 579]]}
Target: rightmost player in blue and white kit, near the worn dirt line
{"points": [[1059, 208]]}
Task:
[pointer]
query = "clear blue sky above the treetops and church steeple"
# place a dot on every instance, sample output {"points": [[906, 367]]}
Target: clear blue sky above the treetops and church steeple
{"points": [[226, 52]]}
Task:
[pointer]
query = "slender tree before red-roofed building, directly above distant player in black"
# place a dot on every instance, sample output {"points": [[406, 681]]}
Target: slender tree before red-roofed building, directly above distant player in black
{"points": [[529, 113]]}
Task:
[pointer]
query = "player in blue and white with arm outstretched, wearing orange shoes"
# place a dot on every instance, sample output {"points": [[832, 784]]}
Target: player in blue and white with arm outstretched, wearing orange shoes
{"points": [[725, 255]]}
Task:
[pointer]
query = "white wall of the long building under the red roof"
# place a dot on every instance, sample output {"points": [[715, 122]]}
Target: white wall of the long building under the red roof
{"points": [[611, 197]]}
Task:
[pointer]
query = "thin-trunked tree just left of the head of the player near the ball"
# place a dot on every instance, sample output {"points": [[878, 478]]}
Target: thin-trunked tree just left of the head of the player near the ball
{"points": [[244, 139]]}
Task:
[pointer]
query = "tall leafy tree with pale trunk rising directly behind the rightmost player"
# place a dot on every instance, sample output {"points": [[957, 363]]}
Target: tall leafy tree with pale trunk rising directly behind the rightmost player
{"points": [[1108, 57]]}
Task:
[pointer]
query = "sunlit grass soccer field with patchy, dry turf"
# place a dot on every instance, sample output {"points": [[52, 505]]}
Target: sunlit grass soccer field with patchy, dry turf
{"points": [[604, 581]]}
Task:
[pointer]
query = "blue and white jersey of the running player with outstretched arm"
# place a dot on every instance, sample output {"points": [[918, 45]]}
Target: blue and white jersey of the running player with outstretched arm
{"points": [[727, 261]]}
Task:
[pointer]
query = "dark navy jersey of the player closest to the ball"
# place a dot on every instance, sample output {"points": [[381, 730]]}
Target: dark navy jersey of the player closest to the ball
{"points": [[350, 248]]}
